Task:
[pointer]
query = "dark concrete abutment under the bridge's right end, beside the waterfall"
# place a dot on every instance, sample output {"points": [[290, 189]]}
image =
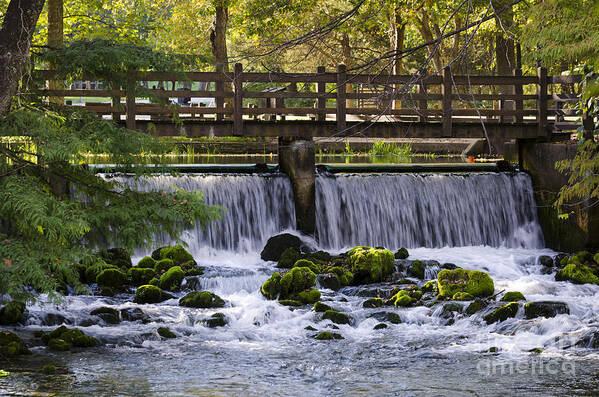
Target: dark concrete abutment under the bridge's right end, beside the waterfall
{"points": [[581, 229]]}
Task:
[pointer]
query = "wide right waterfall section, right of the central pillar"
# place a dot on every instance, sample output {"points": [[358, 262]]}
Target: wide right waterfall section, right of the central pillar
{"points": [[415, 210]]}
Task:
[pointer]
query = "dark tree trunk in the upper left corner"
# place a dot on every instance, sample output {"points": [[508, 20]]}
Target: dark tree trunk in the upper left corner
{"points": [[15, 40]]}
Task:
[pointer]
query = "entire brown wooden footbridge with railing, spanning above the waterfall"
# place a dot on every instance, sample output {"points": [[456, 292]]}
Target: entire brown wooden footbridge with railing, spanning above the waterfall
{"points": [[326, 104]]}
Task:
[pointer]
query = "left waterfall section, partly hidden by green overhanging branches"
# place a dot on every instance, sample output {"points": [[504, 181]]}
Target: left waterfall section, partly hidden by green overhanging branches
{"points": [[256, 208]]}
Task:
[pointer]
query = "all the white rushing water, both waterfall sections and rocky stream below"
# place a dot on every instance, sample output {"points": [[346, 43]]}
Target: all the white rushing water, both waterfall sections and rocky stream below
{"points": [[480, 221]]}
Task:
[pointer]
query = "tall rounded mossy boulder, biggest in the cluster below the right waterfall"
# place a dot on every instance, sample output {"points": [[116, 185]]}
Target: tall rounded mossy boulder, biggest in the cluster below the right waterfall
{"points": [[370, 265]]}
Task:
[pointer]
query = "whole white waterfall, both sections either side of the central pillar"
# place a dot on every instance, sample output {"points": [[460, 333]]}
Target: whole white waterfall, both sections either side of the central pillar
{"points": [[390, 210]]}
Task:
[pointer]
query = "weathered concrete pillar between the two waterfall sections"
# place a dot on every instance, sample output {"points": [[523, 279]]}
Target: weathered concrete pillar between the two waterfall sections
{"points": [[297, 160]]}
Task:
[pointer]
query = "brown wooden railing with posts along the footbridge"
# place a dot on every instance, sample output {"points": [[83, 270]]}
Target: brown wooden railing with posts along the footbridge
{"points": [[340, 96]]}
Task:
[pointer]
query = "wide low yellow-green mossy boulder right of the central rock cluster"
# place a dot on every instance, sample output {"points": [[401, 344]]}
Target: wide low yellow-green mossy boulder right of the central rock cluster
{"points": [[473, 282]]}
